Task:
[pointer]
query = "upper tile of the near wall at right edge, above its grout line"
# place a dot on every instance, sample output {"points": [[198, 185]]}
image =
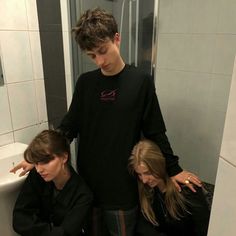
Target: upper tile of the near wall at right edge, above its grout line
{"points": [[228, 148]]}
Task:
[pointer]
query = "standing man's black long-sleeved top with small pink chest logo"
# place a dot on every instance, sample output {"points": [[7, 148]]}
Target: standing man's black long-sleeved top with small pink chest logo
{"points": [[110, 114]]}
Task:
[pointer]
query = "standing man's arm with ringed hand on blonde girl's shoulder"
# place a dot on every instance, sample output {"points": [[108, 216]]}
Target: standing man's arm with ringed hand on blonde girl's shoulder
{"points": [[155, 130]]}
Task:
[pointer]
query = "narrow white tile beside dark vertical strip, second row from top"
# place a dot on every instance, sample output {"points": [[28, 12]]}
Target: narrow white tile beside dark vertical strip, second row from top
{"points": [[36, 54]]}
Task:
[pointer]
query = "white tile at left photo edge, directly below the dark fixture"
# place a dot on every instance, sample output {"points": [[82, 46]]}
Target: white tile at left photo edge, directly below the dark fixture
{"points": [[5, 120]]}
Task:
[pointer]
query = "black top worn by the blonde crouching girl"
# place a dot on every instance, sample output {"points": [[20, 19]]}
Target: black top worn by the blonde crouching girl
{"points": [[195, 221]]}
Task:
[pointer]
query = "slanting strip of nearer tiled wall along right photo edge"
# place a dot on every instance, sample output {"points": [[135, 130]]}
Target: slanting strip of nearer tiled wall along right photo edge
{"points": [[223, 215]]}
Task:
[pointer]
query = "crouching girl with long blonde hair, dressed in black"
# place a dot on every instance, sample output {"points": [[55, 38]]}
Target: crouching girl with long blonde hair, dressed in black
{"points": [[165, 210]]}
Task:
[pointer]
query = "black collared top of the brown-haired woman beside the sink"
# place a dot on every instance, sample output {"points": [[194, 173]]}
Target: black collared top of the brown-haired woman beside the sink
{"points": [[41, 210]]}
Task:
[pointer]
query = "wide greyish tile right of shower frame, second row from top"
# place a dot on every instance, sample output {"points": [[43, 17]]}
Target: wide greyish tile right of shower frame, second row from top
{"points": [[186, 52]]}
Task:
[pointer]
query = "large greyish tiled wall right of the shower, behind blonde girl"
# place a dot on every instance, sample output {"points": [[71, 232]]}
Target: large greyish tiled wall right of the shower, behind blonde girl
{"points": [[195, 56]]}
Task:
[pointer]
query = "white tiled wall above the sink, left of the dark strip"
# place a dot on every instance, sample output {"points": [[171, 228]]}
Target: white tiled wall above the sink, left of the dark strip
{"points": [[22, 97]]}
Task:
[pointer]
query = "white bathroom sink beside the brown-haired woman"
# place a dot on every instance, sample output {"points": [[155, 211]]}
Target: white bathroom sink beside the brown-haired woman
{"points": [[10, 184]]}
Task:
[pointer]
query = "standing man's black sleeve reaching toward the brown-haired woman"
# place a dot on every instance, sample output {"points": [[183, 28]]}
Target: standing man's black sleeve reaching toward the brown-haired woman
{"points": [[70, 122]]}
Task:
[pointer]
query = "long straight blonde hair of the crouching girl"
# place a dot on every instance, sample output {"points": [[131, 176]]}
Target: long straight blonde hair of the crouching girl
{"points": [[149, 154]]}
